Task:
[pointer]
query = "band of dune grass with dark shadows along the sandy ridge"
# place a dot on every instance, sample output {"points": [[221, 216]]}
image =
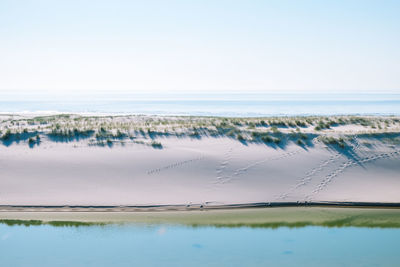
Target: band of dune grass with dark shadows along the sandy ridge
{"points": [[279, 131]]}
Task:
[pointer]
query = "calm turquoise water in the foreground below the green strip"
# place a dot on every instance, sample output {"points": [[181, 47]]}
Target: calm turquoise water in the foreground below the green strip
{"points": [[163, 245]]}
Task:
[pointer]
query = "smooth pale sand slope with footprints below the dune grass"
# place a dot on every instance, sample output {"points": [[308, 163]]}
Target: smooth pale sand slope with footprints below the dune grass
{"points": [[210, 170]]}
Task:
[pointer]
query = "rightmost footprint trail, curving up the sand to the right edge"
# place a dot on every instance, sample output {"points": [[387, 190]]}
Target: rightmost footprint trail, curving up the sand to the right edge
{"points": [[350, 163]]}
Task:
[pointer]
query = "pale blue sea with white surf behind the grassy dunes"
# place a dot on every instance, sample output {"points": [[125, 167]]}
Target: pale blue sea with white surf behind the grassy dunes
{"points": [[214, 105]]}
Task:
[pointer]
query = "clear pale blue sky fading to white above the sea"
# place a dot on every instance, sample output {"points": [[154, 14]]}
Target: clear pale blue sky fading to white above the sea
{"points": [[159, 46]]}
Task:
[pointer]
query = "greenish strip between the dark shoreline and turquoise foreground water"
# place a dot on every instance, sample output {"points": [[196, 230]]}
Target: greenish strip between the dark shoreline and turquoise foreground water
{"points": [[256, 217]]}
